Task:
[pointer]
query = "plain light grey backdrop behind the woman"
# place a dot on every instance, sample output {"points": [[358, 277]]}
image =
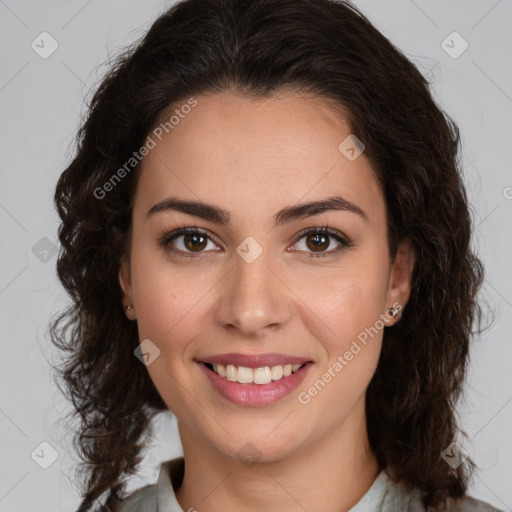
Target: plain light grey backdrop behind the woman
{"points": [[41, 100]]}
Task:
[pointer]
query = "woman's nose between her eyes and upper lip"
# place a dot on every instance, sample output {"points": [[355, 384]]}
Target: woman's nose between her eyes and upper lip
{"points": [[253, 298]]}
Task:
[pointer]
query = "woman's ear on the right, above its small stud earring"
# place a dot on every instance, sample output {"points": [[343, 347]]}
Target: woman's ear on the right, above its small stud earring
{"points": [[400, 281]]}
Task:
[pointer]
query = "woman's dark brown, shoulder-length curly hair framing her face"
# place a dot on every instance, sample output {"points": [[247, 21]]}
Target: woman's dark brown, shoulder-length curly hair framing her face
{"points": [[256, 48]]}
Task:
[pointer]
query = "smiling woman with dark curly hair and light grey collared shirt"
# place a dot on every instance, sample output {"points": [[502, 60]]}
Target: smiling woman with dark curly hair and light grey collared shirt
{"points": [[265, 231]]}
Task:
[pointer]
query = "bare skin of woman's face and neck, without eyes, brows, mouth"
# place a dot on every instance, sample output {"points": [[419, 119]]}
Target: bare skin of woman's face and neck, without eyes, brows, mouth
{"points": [[254, 158]]}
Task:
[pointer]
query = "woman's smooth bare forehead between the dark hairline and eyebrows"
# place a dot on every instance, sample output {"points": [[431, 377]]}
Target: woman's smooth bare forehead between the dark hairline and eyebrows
{"points": [[256, 155]]}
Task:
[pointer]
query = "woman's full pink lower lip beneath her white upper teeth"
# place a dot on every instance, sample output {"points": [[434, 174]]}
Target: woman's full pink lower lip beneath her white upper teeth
{"points": [[256, 394]]}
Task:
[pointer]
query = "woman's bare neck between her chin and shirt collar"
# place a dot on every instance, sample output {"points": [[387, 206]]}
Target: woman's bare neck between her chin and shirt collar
{"points": [[340, 468]]}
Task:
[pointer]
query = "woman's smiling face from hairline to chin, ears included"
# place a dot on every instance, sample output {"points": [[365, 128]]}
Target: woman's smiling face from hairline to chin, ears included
{"points": [[251, 283]]}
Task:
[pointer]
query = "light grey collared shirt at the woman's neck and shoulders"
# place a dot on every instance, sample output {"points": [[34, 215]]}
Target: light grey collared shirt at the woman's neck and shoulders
{"points": [[383, 496]]}
